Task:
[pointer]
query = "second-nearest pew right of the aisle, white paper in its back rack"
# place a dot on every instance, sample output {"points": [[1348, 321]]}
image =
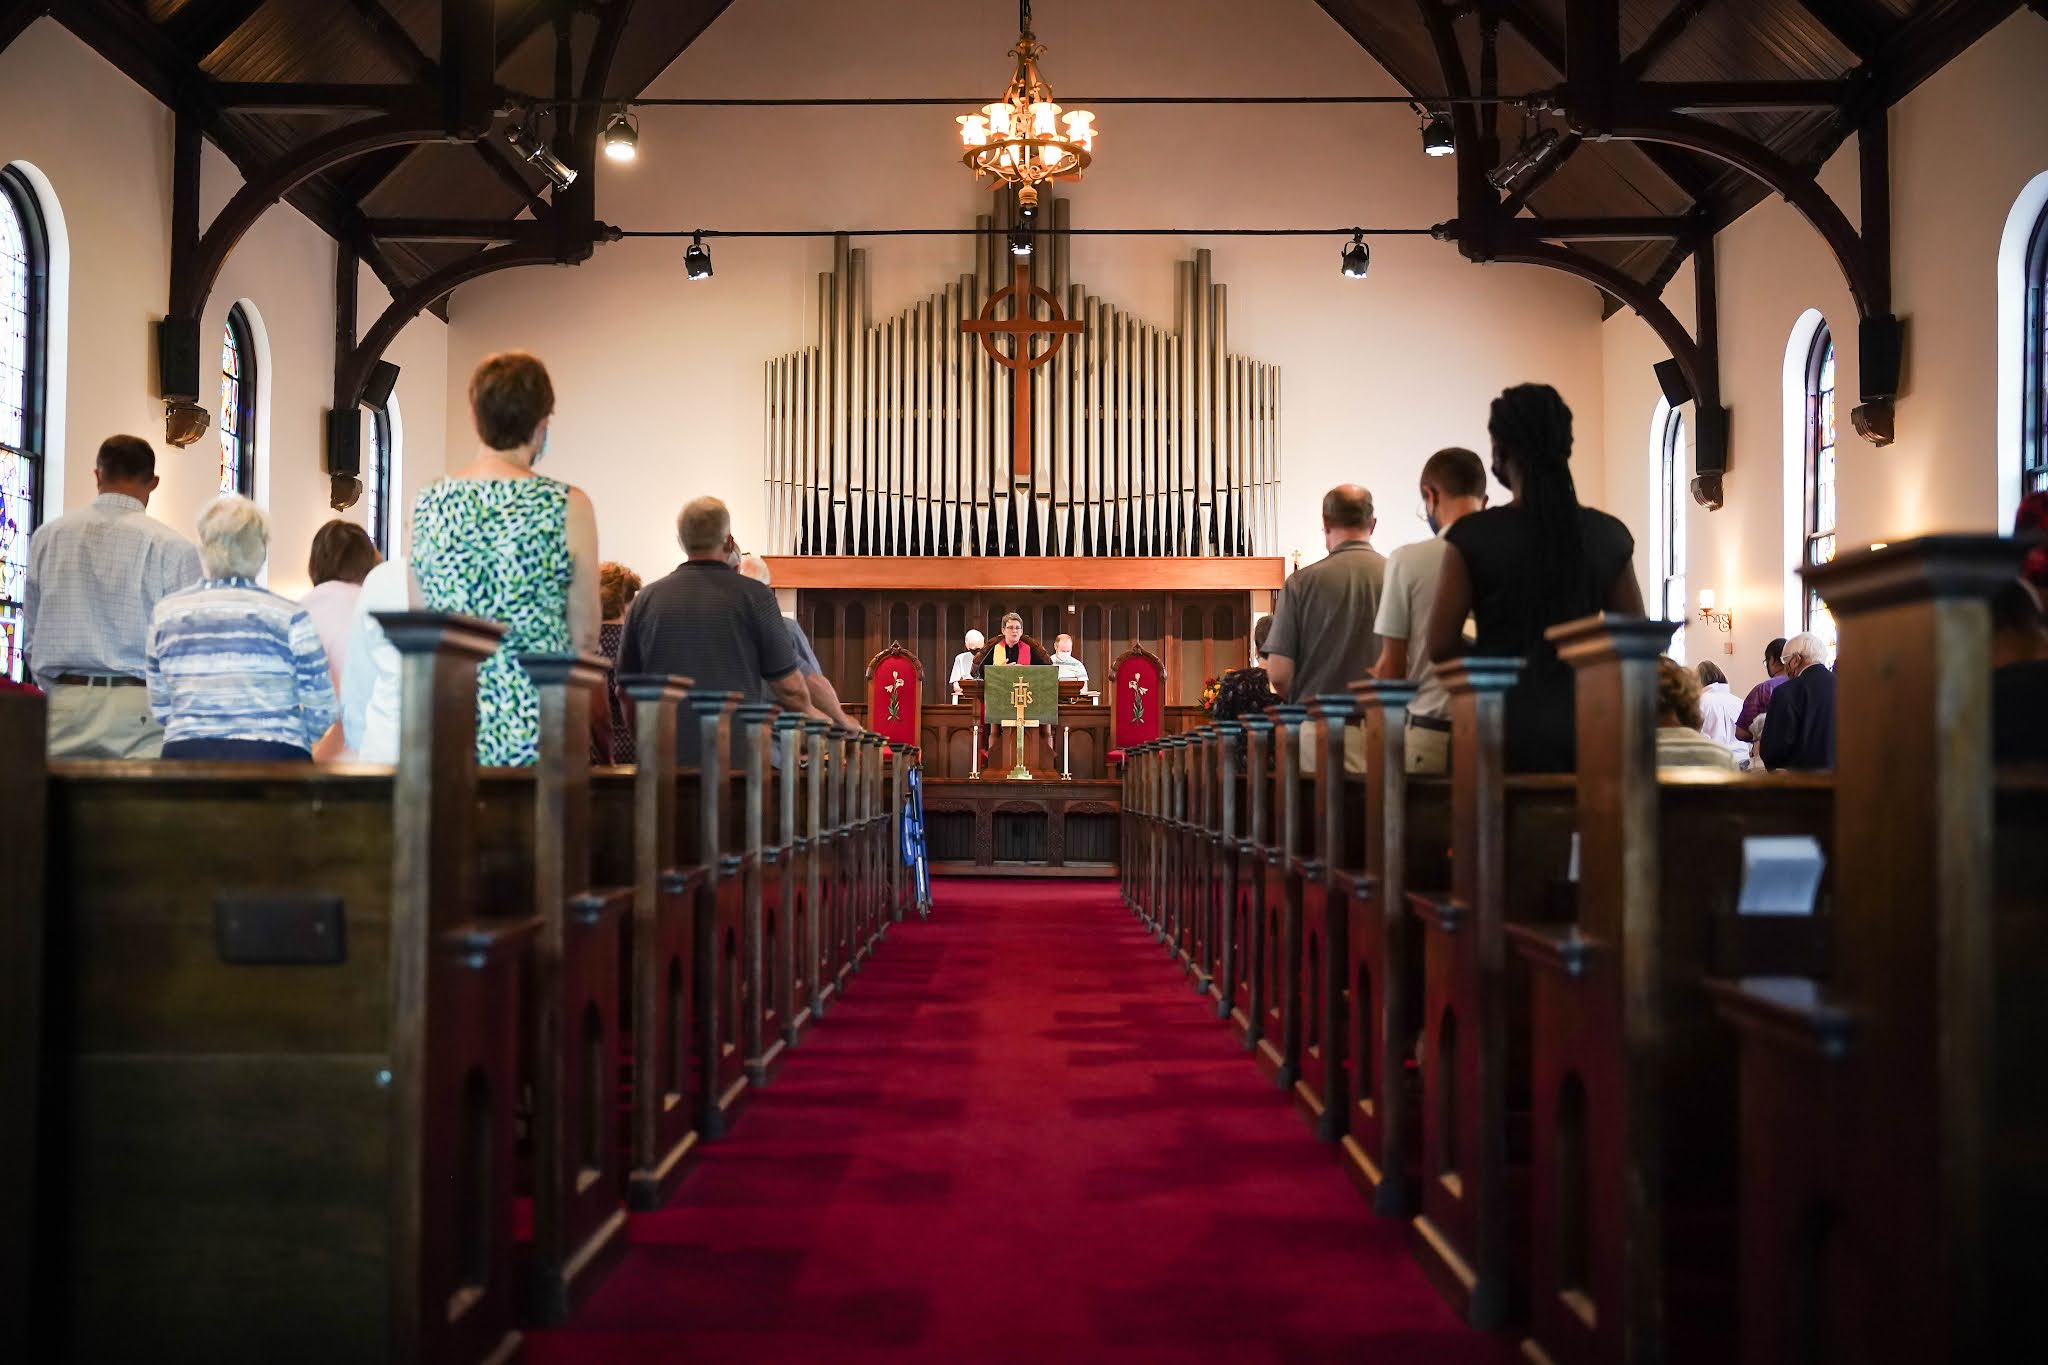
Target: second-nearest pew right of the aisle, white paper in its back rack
{"points": [[1633, 1082]]}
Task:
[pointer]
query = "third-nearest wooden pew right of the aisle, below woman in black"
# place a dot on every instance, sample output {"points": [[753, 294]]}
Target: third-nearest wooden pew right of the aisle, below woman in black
{"points": [[1510, 854]]}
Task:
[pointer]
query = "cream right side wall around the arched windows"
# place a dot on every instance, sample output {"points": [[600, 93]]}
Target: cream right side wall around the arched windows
{"points": [[1963, 150]]}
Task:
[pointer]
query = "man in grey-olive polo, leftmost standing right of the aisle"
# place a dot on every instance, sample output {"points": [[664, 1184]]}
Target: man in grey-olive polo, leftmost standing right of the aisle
{"points": [[1324, 633]]}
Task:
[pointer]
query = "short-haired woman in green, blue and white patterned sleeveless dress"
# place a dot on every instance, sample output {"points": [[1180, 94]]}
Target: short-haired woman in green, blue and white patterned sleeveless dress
{"points": [[503, 543]]}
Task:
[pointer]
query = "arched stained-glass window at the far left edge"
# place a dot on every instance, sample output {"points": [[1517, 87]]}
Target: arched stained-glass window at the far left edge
{"points": [[24, 361]]}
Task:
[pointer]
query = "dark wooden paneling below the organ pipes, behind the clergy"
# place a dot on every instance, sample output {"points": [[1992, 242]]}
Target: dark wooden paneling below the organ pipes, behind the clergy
{"points": [[1199, 633]]}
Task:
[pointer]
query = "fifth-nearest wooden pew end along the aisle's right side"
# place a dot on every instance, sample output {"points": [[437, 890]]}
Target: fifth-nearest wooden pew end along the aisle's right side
{"points": [[1334, 832]]}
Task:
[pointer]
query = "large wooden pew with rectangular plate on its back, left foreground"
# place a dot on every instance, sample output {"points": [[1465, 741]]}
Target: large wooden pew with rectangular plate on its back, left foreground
{"points": [[284, 1077]]}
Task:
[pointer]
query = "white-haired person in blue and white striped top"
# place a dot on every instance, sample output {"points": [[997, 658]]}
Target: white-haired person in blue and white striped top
{"points": [[234, 670]]}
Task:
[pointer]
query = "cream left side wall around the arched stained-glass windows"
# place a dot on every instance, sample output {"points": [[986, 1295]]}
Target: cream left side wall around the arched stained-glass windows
{"points": [[105, 148]]}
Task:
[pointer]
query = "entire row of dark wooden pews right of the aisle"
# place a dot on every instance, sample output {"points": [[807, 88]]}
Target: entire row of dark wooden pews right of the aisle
{"points": [[1660, 1061]]}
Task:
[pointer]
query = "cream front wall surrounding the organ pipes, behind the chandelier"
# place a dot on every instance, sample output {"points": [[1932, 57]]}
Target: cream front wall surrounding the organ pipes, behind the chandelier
{"points": [[660, 380]]}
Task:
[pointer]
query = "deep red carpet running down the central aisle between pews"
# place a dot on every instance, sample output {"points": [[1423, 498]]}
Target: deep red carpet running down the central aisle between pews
{"points": [[1019, 1139]]}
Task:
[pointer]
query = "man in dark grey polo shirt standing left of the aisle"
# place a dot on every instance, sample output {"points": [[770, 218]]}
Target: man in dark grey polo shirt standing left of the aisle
{"points": [[712, 625]]}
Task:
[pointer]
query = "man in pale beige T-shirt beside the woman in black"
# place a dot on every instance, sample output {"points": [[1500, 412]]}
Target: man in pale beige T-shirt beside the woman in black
{"points": [[1453, 486]]}
